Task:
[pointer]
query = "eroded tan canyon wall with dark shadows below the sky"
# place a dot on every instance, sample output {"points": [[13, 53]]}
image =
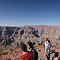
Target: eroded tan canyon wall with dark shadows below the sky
{"points": [[11, 37]]}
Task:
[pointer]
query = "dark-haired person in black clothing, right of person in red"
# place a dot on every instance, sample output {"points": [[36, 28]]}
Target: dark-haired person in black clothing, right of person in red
{"points": [[34, 53]]}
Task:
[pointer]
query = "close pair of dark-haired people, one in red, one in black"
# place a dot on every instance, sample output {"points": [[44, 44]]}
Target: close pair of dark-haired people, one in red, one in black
{"points": [[28, 52]]}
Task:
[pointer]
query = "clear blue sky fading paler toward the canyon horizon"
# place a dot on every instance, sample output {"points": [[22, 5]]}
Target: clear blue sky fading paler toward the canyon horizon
{"points": [[29, 12]]}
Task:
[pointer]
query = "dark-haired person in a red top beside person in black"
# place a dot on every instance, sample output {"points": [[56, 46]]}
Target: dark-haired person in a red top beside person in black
{"points": [[25, 54]]}
